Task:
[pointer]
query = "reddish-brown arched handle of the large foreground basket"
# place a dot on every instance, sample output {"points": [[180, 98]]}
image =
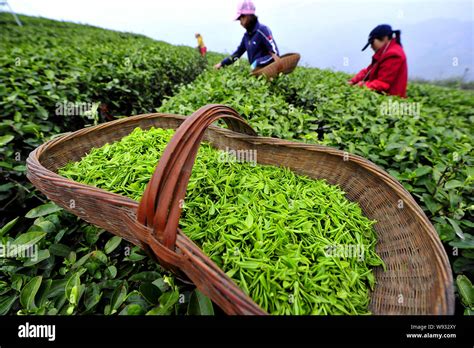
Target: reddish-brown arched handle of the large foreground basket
{"points": [[160, 207]]}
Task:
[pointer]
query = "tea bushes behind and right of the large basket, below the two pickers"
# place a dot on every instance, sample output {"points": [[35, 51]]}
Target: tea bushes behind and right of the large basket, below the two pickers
{"points": [[424, 141]]}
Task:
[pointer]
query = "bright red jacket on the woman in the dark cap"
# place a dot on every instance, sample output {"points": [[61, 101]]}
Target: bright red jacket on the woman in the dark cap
{"points": [[388, 71]]}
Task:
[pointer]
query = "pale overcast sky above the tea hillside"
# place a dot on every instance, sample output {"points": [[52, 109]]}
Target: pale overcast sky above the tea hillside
{"points": [[312, 27]]}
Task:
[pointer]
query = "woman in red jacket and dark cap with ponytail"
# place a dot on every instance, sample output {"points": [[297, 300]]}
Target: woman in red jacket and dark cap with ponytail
{"points": [[388, 72]]}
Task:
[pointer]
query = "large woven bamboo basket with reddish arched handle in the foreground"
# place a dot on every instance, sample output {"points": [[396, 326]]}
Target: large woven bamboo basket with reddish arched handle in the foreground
{"points": [[418, 278]]}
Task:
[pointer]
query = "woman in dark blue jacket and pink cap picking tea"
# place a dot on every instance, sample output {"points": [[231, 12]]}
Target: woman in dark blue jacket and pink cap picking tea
{"points": [[257, 41]]}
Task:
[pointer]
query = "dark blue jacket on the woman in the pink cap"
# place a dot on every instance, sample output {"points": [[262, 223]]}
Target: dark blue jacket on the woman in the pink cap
{"points": [[258, 43]]}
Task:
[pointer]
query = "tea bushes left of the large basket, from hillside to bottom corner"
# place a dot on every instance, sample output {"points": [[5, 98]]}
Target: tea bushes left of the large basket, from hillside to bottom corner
{"points": [[78, 267]]}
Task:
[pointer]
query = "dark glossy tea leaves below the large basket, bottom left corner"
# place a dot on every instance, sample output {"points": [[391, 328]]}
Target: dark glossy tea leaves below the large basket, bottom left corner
{"points": [[70, 274]]}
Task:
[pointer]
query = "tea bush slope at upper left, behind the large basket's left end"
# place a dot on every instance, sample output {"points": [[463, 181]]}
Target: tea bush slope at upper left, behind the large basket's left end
{"points": [[59, 77]]}
